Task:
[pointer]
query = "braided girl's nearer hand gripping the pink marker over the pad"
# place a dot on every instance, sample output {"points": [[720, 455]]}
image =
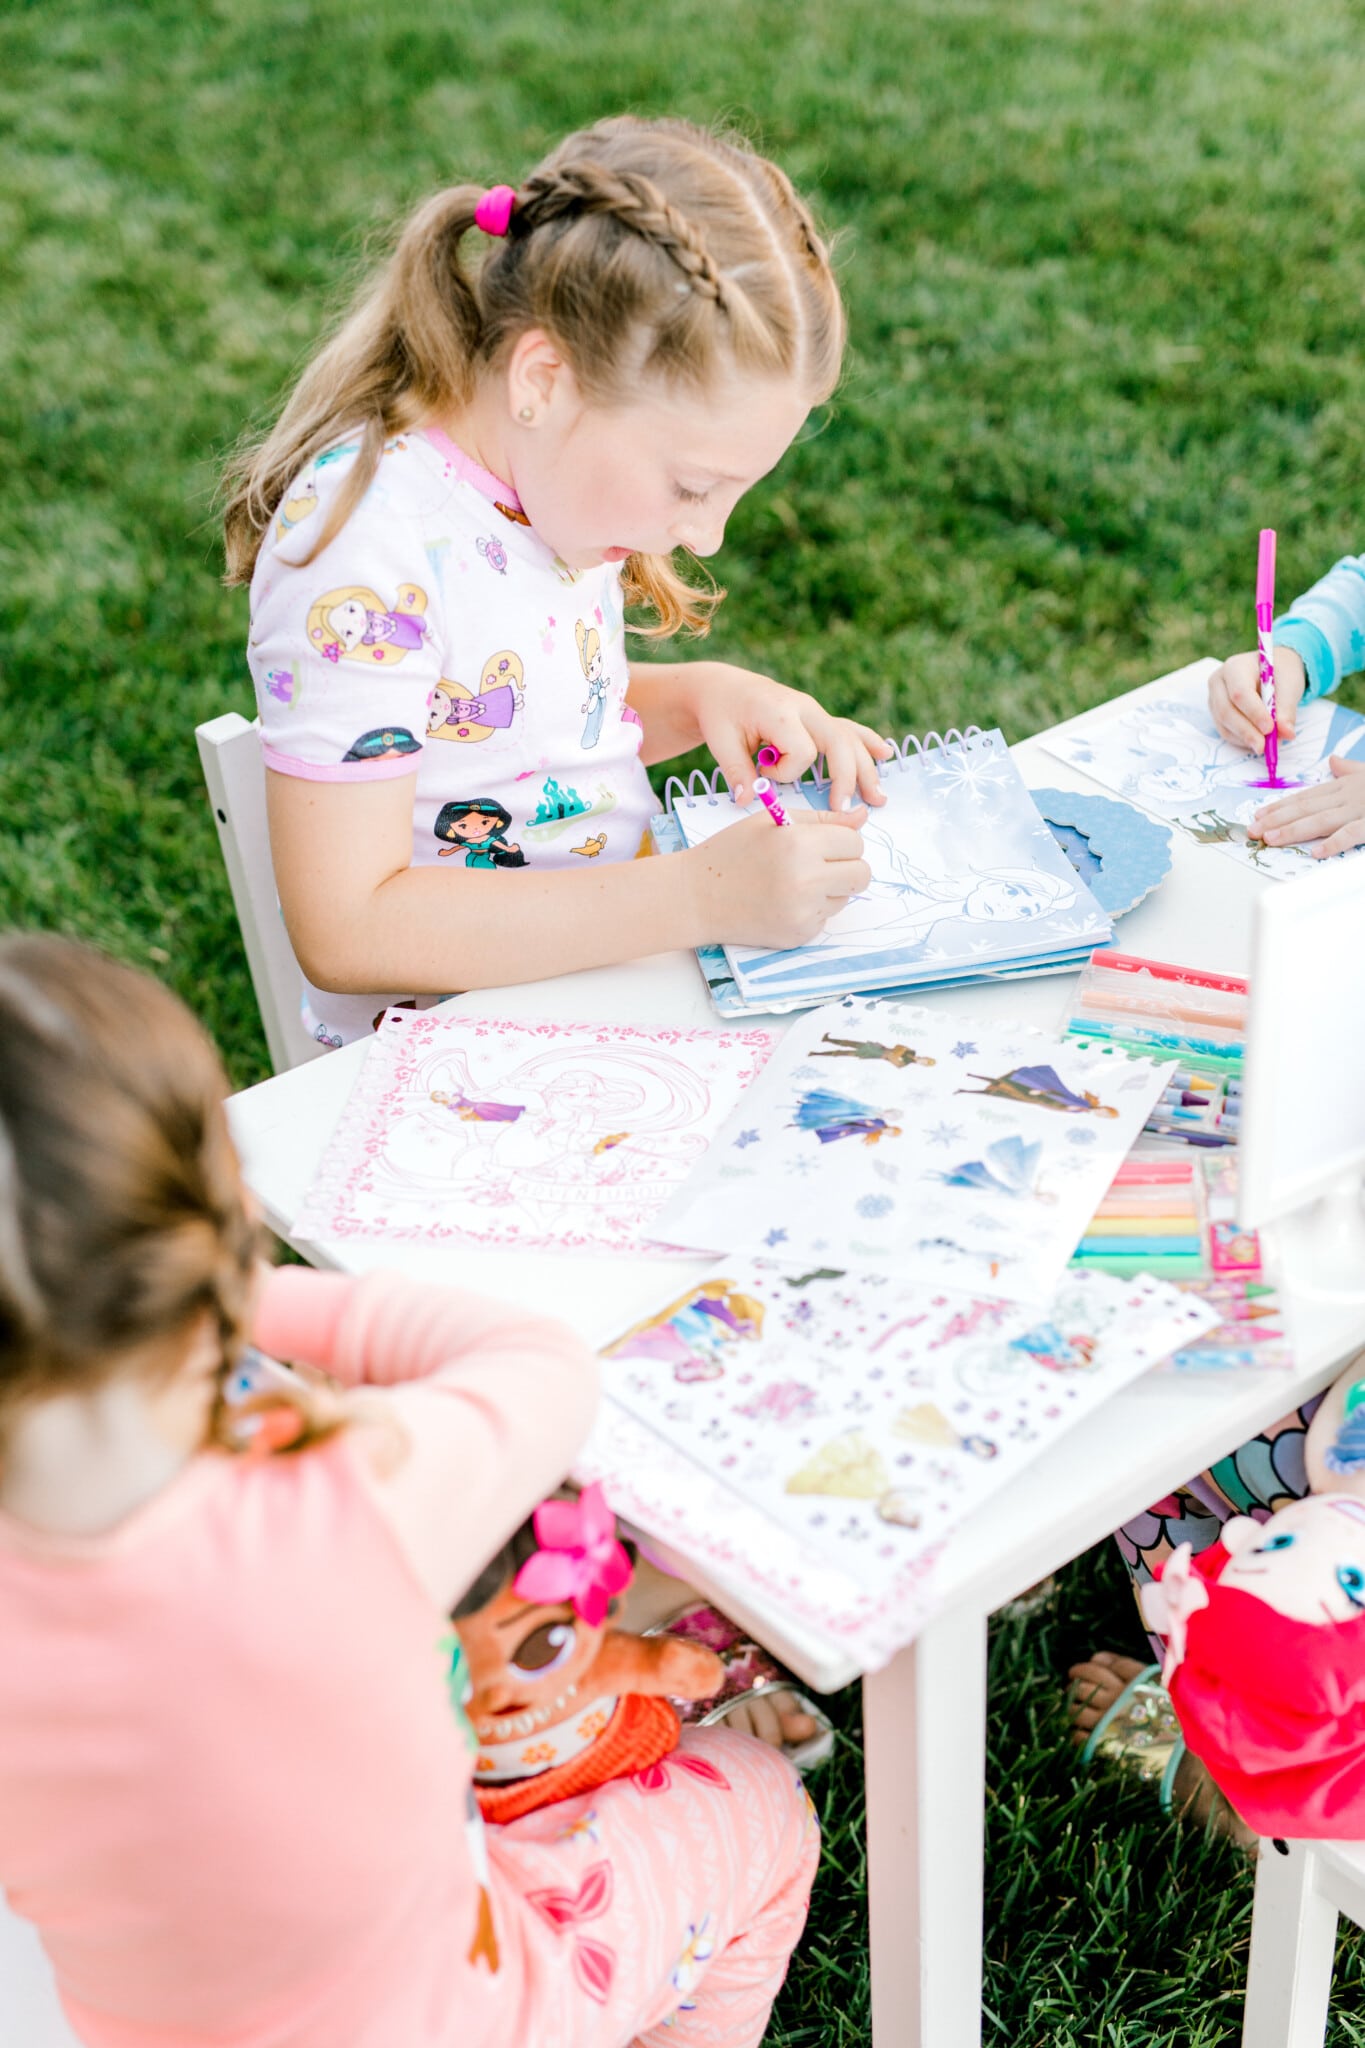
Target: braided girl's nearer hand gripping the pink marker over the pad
{"points": [[779, 886]]}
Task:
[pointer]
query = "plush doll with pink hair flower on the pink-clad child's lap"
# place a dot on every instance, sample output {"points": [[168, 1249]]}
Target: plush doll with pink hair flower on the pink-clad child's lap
{"points": [[558, 1699]]}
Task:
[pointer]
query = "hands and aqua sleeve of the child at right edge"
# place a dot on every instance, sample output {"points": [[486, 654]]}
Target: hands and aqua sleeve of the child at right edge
{"points": [[1317, 644]]}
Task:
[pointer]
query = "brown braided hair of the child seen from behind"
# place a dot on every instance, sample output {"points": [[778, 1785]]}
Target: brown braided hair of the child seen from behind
{"points": [[122, 1205]]}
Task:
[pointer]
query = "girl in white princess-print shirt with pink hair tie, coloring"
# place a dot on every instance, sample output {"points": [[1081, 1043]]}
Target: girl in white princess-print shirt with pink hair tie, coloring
{"points": [[543, 396]]}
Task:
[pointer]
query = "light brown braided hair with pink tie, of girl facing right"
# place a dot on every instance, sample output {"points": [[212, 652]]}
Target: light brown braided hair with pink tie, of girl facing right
{"points": [[644, 249]]}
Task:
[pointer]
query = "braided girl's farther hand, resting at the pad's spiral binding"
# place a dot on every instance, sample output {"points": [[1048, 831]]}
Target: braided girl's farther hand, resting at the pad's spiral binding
{"points": [[738, 714]]}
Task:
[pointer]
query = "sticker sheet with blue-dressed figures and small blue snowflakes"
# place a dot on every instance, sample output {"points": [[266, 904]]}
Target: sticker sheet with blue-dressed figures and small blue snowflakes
{"points": [[924, 1146]]}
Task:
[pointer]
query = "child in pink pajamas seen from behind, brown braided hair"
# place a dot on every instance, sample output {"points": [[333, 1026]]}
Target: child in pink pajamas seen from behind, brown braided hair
{"points": [[234, 1783]]}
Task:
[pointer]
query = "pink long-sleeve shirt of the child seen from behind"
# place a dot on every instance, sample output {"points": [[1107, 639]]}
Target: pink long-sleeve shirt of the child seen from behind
{"points": [[232, 1787]]}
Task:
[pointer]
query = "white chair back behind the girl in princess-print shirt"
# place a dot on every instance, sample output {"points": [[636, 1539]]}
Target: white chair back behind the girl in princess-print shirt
{"points": [[236, 777]]}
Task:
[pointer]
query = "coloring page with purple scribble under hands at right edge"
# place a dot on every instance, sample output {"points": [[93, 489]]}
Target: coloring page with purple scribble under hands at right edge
{"points": [[1168, 757]]}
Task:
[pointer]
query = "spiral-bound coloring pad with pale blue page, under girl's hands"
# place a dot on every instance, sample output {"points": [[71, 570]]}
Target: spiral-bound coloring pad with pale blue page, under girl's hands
{"points": [[967, 882]]}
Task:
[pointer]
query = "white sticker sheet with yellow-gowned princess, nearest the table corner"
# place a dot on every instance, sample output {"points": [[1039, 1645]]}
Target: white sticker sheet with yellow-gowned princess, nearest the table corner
{"points": [[871, 1416]]}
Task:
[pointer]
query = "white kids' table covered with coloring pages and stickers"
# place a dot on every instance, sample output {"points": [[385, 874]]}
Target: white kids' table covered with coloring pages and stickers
{"points": [[926, 1713]]}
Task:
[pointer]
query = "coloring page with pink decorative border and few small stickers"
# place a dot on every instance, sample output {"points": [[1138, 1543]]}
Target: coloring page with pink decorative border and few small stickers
{"points": [[525, 1134]]}
